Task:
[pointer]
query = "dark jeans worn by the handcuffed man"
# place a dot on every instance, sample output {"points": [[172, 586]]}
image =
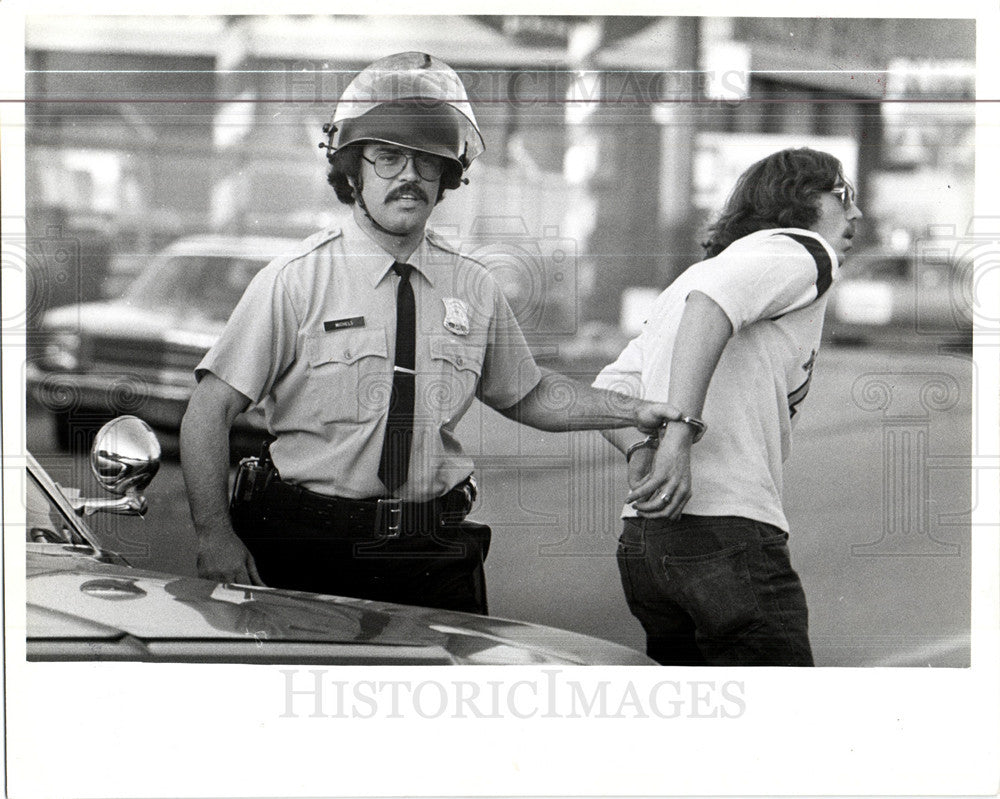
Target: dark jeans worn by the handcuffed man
{"points": [[714, 590]]}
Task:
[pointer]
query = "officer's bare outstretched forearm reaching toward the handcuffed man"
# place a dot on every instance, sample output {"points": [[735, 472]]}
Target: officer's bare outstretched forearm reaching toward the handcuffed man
{"points": [[559, 403]]}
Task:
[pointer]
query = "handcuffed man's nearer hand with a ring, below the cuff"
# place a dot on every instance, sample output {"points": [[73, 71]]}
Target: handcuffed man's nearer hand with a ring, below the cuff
{"points": [[666, 489]]}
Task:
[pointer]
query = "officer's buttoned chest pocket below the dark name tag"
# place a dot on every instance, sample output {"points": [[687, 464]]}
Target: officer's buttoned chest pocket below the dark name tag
{"points": [[349, 378]]}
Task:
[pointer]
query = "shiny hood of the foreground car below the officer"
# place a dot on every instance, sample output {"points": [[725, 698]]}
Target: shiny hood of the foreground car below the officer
{"points": [[80, 608]]}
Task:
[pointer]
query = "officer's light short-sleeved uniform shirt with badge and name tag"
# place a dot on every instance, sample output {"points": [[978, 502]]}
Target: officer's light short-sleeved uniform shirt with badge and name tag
{"points": [[312, 341]]}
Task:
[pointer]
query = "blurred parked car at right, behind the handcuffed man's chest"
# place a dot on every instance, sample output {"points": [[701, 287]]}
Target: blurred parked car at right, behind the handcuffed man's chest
{"points": [[911, 298]]}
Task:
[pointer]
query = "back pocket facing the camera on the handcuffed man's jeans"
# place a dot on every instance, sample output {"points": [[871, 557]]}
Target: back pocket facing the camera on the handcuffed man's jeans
{"points": [[715, 589]]}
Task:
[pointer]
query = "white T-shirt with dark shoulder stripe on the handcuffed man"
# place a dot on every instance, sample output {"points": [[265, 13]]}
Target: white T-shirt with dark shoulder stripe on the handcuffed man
{"points": [[771, 284]]}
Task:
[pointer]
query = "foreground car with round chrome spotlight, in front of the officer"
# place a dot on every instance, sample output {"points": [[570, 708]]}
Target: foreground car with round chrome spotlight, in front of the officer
{"points": [[85, 603]]}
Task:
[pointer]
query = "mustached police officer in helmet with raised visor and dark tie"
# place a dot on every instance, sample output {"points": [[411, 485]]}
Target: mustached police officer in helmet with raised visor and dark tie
{"points": [[364, 348]]}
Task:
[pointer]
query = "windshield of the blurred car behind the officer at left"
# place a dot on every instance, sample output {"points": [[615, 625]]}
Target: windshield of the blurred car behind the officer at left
{"points": [[202, 285]]}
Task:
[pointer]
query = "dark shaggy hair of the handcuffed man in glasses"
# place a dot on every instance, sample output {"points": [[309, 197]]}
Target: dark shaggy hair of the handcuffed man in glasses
{"points": [[777, 191]]}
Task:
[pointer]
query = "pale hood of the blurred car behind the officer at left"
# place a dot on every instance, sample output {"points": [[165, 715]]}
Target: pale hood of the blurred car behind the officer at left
{"points": [[121, 318]]}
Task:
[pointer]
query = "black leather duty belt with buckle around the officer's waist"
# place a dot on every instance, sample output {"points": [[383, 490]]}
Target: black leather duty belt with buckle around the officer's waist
{"points": [[365, 518]]}
